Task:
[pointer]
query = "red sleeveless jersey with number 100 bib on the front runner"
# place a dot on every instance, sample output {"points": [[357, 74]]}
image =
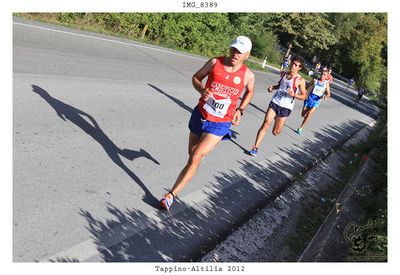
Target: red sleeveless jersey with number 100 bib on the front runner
{"points": [[226, 89]]}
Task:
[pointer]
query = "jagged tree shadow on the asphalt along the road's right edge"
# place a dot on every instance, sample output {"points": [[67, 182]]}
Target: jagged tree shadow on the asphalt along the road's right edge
{"points": [[191, 229]]}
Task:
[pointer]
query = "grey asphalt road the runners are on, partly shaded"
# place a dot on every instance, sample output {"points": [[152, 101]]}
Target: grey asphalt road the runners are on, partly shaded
{"points": [[100, 133]]}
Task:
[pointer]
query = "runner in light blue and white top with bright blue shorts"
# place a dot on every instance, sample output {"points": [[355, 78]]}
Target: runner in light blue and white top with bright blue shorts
{"points": [[316, 90]]}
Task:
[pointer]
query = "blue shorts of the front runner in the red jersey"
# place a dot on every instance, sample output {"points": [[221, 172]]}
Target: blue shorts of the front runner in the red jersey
{"points": [[198, 125]]}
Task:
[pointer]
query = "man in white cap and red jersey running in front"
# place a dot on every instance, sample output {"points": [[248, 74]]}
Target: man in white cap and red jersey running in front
{"points": [[212, 117]]}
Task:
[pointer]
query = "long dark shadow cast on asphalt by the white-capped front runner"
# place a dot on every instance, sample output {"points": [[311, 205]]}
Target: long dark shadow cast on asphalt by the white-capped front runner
{"points": [[76, 116]]}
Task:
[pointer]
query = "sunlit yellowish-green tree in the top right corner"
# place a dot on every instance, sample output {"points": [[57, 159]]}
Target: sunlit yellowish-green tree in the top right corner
{"points": [[362, 48]]}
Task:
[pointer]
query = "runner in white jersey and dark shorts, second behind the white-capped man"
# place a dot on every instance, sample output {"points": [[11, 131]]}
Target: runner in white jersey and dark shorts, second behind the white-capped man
{"points": [[291, 86]]}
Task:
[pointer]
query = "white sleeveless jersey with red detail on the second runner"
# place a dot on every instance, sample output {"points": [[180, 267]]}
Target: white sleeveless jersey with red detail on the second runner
{"points": [[282, 97]]}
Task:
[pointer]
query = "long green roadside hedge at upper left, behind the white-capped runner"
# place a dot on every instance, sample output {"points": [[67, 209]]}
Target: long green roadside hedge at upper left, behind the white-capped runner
{"points": [[209, 34]]}
